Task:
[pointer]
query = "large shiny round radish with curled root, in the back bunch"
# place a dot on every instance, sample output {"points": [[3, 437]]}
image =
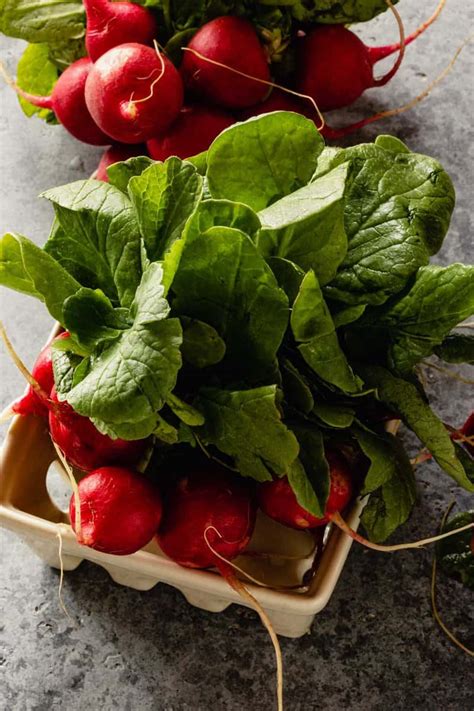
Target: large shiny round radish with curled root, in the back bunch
{"points": [[133, 92]]}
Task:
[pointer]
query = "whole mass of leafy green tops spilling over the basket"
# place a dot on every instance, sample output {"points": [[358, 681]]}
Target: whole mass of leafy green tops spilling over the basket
{"points": [[265, 315]]}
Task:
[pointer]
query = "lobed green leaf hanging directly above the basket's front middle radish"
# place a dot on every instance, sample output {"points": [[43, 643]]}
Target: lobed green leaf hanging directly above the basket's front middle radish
{"points": [[246, 425]]}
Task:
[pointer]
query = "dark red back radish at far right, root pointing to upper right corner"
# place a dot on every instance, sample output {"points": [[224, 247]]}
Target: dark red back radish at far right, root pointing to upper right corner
{"points": [[334, 67]]}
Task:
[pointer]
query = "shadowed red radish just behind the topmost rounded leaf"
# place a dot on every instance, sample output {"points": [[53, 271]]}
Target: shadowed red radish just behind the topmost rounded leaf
{"points": [[193, 132]]}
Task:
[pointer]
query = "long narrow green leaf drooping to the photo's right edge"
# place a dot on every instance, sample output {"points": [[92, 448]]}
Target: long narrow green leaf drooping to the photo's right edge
{"points": [[404, 398]]}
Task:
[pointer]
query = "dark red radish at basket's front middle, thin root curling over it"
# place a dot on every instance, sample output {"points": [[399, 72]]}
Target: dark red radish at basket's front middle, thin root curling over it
{"points": [[210, 510]]}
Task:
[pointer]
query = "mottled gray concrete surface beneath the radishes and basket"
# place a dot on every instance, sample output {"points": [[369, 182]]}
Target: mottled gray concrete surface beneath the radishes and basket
{"points": [[375, 646]]}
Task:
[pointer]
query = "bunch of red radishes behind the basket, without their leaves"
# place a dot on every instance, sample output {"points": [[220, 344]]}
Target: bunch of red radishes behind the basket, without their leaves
{"points": [[128, 92]]}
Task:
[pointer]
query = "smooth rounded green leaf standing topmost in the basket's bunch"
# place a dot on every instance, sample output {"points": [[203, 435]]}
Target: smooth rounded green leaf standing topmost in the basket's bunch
{"points": [[263, 159]]}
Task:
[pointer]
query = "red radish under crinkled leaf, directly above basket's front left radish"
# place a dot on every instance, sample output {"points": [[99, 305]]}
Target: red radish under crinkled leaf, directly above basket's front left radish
{"points": [[84, 446]]}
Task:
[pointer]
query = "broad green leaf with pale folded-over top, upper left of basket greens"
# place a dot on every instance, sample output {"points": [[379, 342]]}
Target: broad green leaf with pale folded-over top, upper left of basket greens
{"points": [[96, 238]]}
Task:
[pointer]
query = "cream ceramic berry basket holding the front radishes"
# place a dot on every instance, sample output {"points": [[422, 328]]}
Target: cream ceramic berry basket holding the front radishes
{"points": [[26, 507]]}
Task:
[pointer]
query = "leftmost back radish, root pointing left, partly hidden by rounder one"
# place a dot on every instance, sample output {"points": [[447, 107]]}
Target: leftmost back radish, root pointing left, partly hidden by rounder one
{"points": [[68, 103]]}
